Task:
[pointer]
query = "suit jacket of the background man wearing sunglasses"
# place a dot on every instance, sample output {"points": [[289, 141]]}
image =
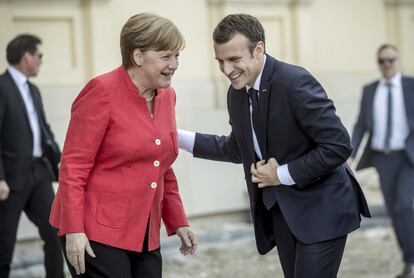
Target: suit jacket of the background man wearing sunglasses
{"points": [[364, 124]]}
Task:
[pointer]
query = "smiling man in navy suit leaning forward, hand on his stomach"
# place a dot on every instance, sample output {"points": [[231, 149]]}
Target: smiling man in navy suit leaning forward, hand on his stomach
{"points": [[304, 199]]}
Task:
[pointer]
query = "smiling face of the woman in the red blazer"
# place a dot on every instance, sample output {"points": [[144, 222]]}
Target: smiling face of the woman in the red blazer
{"points": [[157, 68]]}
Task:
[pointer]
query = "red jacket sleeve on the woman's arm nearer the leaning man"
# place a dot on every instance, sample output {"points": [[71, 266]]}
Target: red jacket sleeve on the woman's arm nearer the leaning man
{"points": [[173, 214]]}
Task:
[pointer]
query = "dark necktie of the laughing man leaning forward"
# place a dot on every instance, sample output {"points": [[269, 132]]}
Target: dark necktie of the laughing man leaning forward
{"points": [[269, 198]]}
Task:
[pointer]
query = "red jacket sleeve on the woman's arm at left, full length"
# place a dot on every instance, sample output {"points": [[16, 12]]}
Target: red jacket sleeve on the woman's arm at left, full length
{"points": [[87, 127]]}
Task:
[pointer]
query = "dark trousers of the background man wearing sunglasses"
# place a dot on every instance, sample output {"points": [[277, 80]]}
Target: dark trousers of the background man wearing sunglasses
{"points": [[396, 175]]}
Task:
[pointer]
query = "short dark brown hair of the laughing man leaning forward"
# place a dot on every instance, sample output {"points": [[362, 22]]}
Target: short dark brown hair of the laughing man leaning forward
{"points": [[244, 24]]}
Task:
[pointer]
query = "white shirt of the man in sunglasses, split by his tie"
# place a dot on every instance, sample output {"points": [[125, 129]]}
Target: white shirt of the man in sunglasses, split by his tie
{"points": [[399, 124]]}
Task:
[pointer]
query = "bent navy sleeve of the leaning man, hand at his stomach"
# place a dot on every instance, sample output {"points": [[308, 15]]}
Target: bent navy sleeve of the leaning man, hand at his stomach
{"points": [[315, 114]]}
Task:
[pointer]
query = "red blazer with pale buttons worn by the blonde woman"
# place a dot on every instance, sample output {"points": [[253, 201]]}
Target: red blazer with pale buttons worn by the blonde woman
{"points": [[115, 175]]}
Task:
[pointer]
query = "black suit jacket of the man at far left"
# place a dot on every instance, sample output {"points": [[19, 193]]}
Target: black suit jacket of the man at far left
{"points": [[16, 138]]}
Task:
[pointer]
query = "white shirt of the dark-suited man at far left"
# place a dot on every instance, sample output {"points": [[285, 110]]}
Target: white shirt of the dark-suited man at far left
{"points": [[21, 82]]}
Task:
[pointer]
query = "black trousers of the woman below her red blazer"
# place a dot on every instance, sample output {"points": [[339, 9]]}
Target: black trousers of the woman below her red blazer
{"points": [[111, 262]]}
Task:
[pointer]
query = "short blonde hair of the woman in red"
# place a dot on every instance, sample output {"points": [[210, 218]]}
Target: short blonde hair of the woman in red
{"points": [[147, 31]]}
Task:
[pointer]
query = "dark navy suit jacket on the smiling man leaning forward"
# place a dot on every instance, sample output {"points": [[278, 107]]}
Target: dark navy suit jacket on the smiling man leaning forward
{"points": [[302, 130]]}
